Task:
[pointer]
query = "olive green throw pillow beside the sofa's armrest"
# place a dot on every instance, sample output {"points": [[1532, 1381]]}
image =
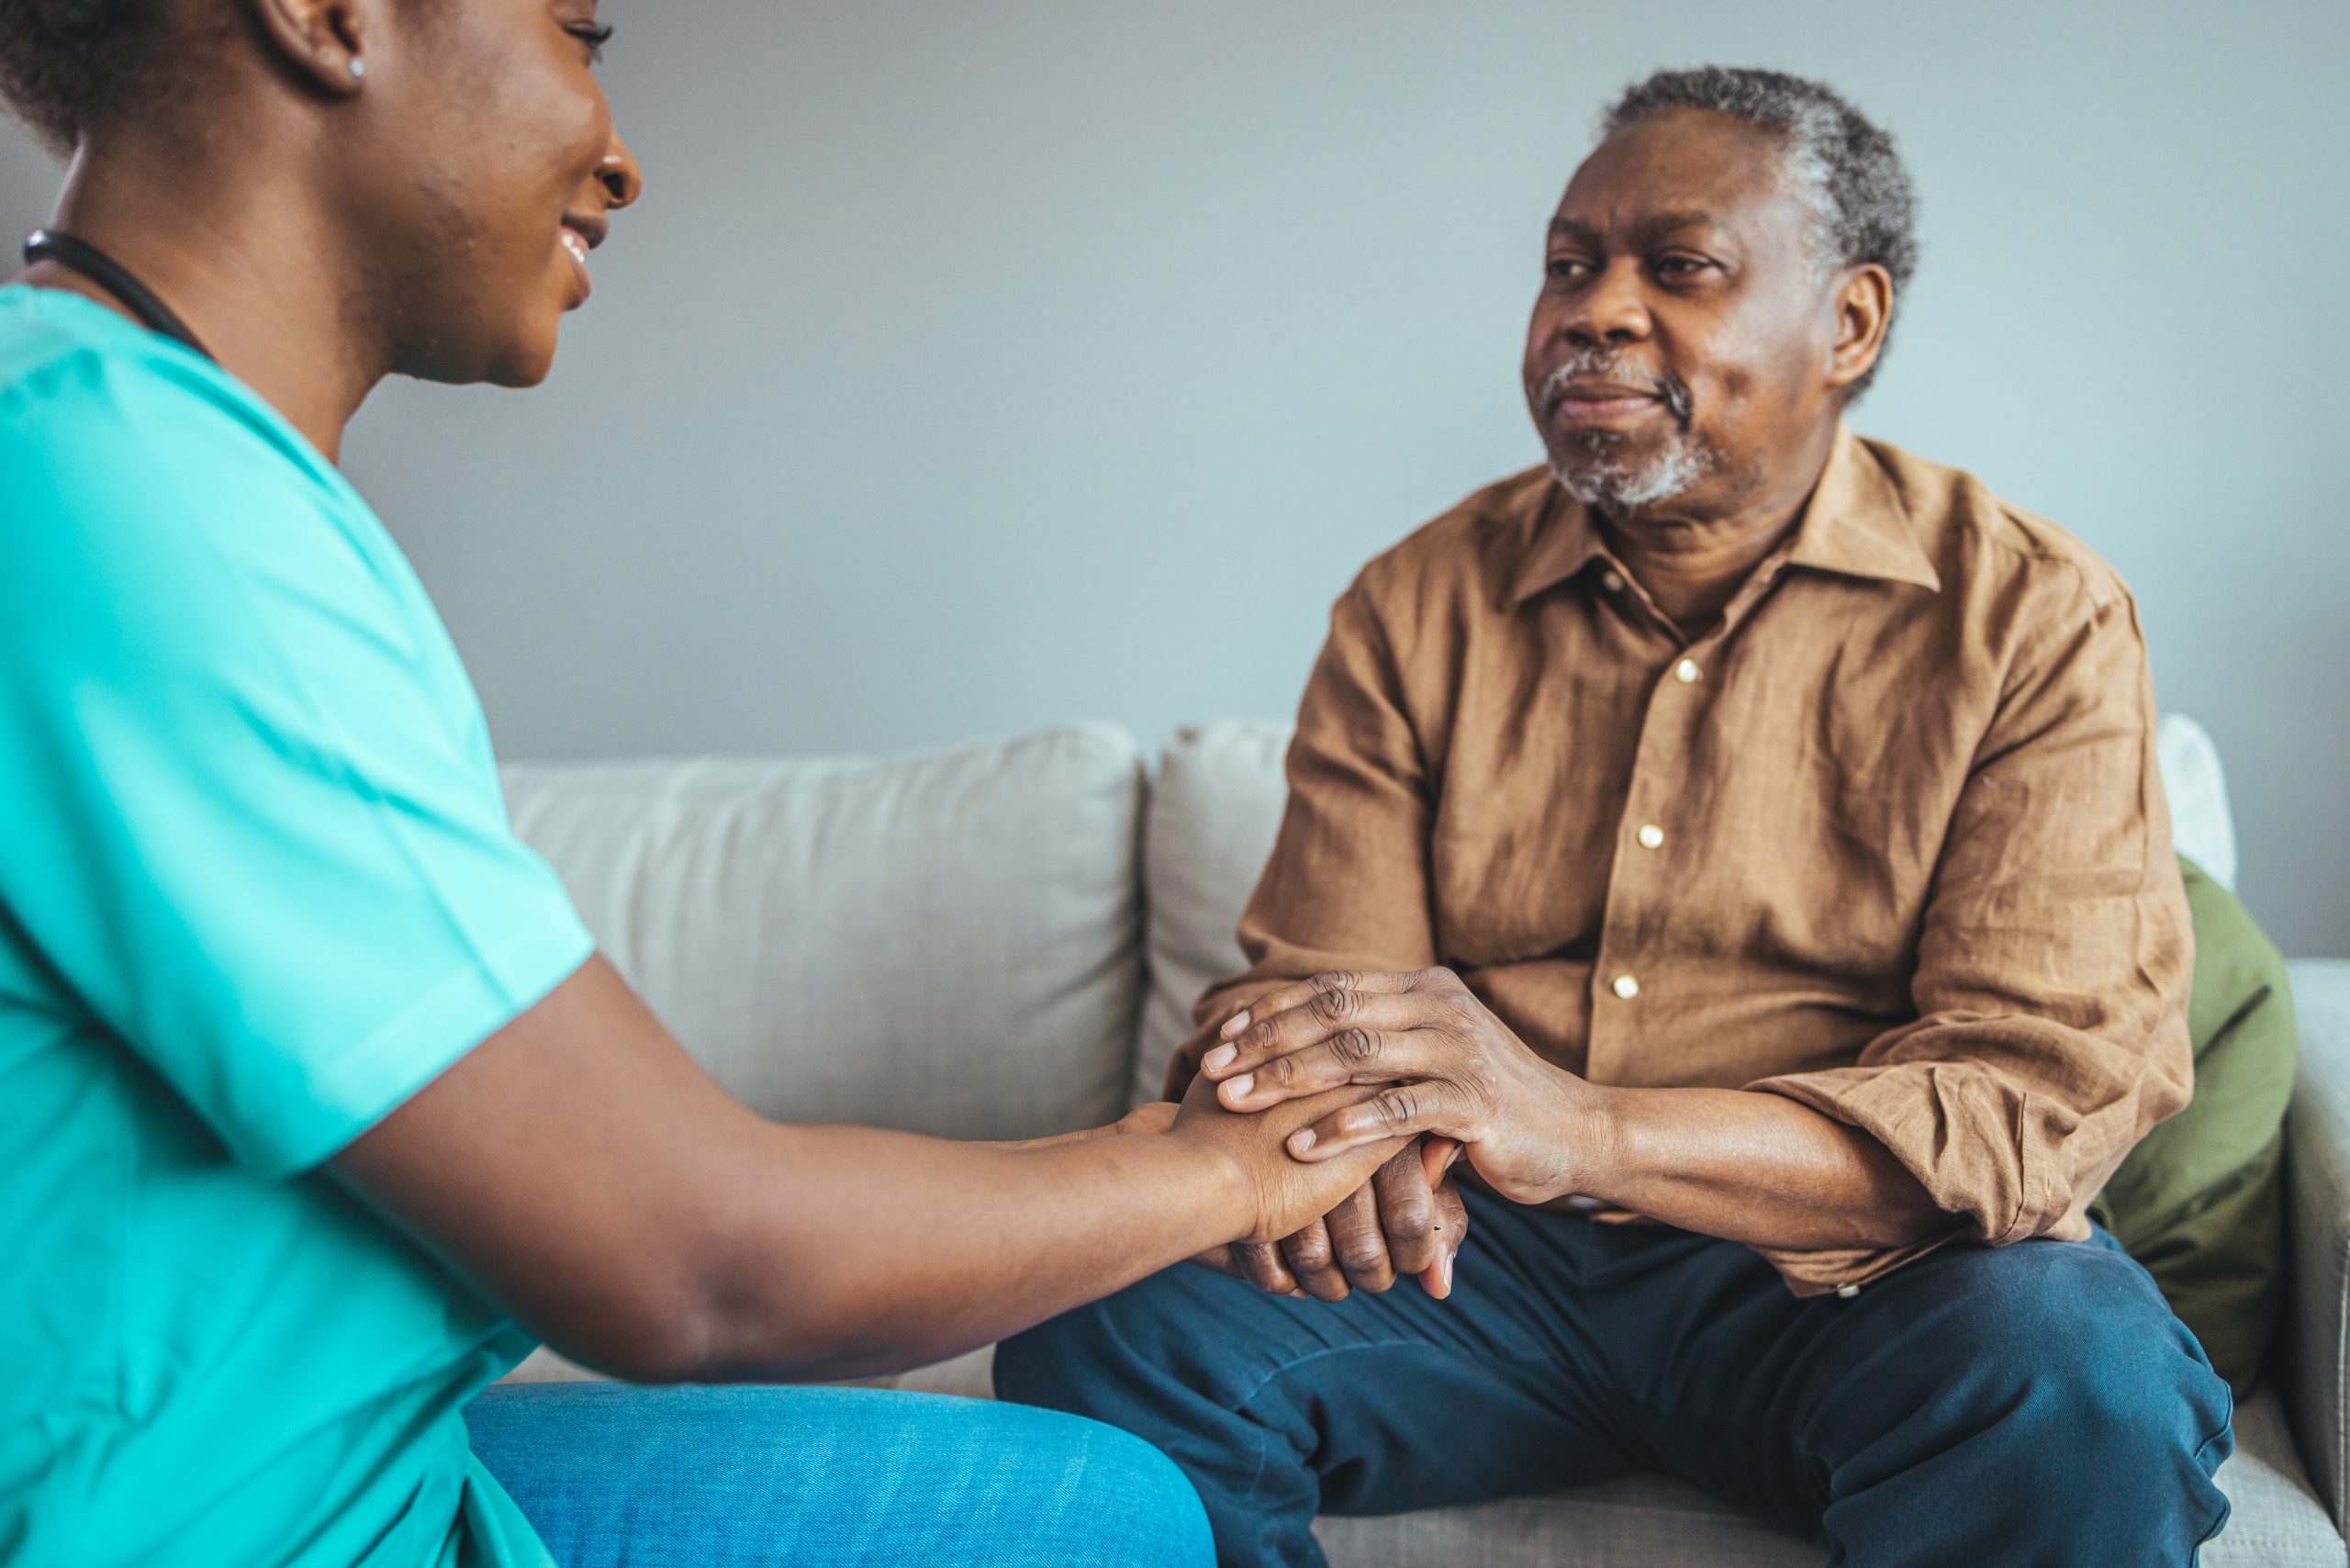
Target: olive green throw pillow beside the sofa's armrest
{"points": [[2201, 1200]]}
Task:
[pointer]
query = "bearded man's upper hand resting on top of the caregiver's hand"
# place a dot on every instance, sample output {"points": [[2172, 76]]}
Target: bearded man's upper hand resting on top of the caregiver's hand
{"points": [[1446, 1064]]}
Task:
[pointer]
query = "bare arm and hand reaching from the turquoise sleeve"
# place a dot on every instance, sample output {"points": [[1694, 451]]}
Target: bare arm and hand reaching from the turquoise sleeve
{"points": [[591, 1177]]}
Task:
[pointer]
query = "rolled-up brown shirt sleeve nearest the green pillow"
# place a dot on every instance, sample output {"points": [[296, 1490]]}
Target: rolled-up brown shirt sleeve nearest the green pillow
{"points": [[2053, 965]]}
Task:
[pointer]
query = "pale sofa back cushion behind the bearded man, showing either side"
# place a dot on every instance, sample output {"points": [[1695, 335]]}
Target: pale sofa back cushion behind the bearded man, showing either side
{"points": [[1218, 805]]}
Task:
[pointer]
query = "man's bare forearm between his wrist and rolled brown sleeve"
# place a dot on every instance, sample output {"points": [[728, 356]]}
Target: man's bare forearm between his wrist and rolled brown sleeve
{"points": [[1747, 1167]]}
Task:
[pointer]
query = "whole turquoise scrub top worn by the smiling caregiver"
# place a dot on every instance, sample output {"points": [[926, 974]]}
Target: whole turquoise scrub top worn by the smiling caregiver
{"points": [[257, 887]]}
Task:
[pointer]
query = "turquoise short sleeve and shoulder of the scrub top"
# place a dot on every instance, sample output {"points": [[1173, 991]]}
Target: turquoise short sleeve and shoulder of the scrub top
{"points": [[271, 850]]}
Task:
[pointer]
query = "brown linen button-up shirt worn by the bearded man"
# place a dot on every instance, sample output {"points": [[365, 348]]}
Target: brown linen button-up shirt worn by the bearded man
{"points": [[1888, 840]]}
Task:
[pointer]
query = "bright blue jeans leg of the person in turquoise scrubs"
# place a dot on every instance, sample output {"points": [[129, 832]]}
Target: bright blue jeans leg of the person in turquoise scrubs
{"points": [[697, 1477]]}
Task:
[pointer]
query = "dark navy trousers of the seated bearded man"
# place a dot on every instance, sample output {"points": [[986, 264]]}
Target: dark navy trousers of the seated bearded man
{"points": [[2034, 1405]]}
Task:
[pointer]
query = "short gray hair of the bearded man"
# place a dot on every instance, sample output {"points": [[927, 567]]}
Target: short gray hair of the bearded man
{"points": [[1862, 201]]}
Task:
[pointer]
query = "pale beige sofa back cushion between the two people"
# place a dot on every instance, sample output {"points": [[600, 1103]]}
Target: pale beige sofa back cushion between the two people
{"points": [[944, 944]]}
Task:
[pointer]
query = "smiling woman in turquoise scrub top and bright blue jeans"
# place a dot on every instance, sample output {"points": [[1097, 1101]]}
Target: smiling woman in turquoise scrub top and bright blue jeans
{"points": [[316, 1104]]}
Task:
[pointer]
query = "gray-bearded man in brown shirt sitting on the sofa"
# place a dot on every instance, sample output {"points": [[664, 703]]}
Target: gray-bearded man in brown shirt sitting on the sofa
{"points": [[1745, 840]]}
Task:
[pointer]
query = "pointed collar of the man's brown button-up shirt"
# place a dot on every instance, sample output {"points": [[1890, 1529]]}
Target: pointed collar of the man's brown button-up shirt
{"points": [[1853, 525]]}
